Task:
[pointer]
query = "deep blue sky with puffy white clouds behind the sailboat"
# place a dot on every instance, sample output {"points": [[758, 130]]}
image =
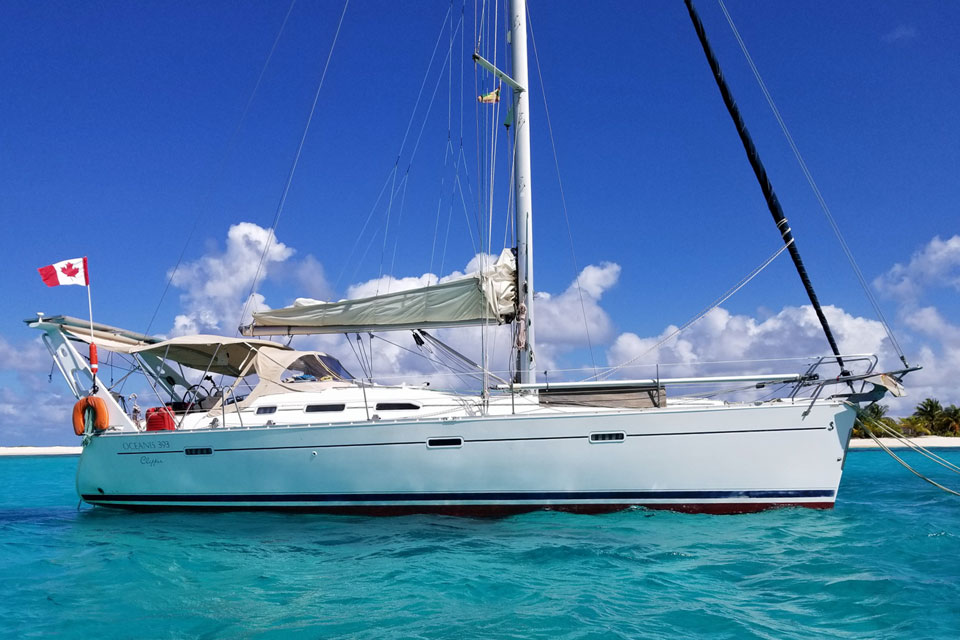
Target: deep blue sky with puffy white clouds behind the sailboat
{"points": [[157, 138]]}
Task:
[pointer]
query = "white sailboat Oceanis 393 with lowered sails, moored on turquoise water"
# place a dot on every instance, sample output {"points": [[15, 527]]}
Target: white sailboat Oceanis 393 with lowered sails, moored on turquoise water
{"points": [[304, 434]]}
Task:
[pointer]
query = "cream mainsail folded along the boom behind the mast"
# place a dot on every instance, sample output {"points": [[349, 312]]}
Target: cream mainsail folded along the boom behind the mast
{"points": [[488, 296]]}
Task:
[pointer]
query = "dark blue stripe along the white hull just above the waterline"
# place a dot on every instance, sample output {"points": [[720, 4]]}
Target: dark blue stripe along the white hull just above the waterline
{"points": [[388, 498]]}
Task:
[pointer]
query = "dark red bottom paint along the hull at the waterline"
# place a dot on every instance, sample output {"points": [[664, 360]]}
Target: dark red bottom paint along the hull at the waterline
{"points": [[492, 510]]}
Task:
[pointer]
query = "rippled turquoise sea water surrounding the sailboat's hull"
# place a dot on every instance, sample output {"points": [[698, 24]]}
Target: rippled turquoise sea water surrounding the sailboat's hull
{"points": [[884, 563]]}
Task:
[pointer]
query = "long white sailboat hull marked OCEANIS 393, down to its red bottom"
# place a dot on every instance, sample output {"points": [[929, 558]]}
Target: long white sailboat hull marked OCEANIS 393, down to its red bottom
{"points": [[730, 459]]}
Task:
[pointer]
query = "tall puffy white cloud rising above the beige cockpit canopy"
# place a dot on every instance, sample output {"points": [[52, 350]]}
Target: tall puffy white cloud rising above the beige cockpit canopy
{"points": [[216, 286]]}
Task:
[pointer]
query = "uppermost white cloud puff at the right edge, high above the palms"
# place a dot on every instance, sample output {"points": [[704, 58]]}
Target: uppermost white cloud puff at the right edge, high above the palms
{"points": [[935, 265]]}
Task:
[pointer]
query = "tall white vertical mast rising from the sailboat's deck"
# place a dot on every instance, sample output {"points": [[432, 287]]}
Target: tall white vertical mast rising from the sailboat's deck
{"points": [[526, 366]]}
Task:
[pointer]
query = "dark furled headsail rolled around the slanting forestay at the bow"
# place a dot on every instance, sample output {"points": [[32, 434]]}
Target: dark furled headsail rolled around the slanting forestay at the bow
{"points": [[772, 203]]}
